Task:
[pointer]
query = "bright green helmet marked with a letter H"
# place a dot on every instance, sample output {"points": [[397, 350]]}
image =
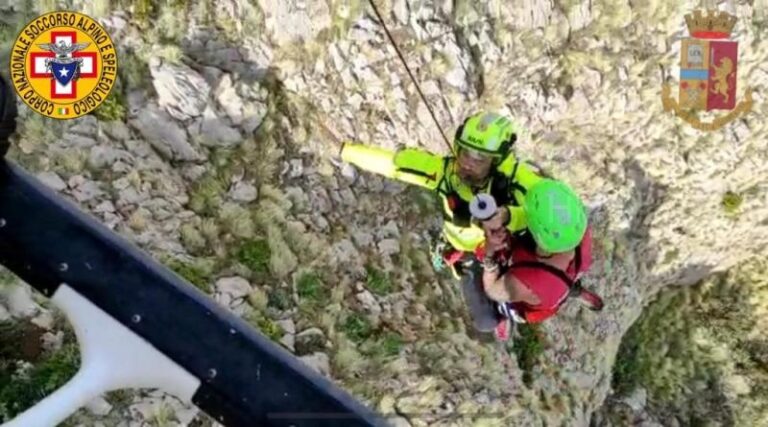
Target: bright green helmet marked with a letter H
{"points": [[556, 216]]}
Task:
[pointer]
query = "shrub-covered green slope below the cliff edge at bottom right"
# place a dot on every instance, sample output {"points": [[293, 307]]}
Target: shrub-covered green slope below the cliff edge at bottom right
{"points": [[700, 348]]}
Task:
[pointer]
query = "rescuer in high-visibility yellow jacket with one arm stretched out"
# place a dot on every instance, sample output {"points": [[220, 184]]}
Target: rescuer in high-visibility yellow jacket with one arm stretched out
{"points": [[482, 162]]}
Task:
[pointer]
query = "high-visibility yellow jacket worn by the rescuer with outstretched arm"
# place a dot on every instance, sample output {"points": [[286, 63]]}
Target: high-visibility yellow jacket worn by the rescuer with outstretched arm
{"points": [[508, 184]]}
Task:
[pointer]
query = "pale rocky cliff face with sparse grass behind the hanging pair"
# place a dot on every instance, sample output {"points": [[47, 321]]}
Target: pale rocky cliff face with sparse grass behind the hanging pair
{"points": [[215, 154]]}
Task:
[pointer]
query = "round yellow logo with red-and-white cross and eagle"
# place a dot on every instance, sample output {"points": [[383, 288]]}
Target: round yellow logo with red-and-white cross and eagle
{"points": [[63, 65]]}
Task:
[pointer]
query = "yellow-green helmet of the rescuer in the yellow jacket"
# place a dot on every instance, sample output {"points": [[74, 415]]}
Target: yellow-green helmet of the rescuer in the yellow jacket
{"points": [[488, 133]]}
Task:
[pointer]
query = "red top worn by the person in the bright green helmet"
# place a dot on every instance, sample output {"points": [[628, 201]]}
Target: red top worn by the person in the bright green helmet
{"points": [[550, 287]]}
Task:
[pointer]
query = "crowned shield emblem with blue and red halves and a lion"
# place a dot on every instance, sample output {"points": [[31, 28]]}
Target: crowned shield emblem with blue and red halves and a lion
{"points": [[708, 65]]}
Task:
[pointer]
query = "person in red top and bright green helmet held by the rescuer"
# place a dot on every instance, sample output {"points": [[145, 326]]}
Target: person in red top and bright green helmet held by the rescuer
{"points": [[530, 274]]}
